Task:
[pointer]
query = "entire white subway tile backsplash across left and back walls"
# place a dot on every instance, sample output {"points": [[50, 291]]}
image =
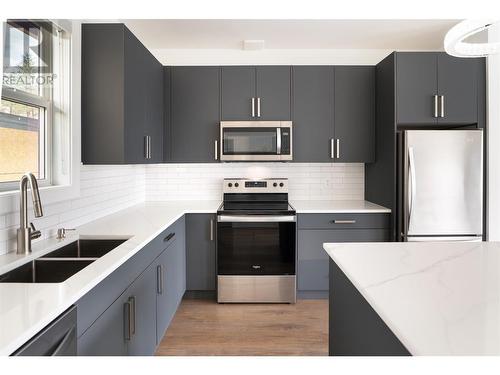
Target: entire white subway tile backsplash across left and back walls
{"points": [[107, 189]]}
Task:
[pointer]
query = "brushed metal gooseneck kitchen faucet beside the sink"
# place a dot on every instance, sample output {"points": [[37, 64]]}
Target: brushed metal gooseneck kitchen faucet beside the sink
{"points": [[27, 233]]}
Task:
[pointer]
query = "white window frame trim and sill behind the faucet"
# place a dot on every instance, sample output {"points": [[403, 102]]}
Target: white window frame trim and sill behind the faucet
{"points": [[69, 188]]}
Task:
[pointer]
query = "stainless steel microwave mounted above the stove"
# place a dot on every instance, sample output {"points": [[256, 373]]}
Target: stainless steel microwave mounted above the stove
{"points": [[256, 140]]}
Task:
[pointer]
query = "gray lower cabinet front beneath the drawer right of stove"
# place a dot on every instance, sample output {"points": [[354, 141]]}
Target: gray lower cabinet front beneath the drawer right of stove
{"points": [[312, 268]]}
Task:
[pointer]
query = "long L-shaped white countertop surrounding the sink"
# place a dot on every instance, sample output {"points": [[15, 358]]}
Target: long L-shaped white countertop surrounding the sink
{"points": [[25, 309]]}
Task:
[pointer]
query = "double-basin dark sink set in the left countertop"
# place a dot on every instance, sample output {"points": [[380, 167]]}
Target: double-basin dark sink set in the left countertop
{"points": [[61, 264]]}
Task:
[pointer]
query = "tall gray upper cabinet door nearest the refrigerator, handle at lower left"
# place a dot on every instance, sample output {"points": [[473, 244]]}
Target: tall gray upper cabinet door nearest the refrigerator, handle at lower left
{"points": [[354, 113]]}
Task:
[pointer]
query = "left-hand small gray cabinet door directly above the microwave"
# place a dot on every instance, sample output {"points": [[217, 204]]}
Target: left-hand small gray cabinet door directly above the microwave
{"points": [[238, 89]]}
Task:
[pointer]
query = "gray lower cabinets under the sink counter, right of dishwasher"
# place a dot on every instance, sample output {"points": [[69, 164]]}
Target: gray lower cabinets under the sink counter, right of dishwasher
{"points": [[129, 312]]}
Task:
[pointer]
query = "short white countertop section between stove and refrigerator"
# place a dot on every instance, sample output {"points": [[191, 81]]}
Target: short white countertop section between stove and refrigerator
{"points": [[348, 206]]}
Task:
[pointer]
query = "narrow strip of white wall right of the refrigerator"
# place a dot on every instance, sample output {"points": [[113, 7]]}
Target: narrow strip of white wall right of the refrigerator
{"points": [[494, 140]]}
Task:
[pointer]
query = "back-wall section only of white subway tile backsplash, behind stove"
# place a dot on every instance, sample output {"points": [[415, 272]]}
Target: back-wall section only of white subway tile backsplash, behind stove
{"points": [[309, 181]]}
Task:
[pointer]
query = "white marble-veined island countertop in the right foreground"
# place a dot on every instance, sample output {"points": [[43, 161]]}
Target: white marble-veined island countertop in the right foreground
{"points": [[437, 298]]}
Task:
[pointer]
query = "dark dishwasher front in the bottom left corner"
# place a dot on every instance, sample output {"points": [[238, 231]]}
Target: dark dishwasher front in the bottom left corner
{"points": [[57, 339]]}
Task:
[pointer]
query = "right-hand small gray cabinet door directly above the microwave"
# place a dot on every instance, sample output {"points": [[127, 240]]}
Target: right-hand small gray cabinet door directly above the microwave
{"points": [[273, 92]]}
